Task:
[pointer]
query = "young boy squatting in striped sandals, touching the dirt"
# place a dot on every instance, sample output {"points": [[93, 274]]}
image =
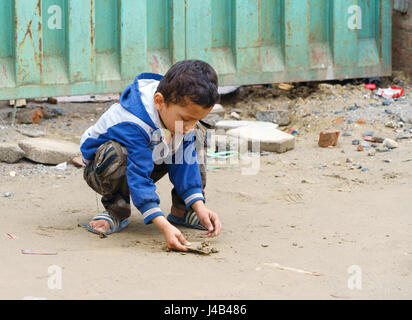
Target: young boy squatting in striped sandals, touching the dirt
{"points": [[148, 134]]}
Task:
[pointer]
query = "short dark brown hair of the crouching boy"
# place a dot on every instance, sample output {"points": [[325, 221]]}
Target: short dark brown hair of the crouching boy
{"points": [[192, 79]]}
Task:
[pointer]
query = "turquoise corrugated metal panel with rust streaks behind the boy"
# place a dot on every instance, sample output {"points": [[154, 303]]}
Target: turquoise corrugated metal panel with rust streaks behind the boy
{"points": [[71, 47]]}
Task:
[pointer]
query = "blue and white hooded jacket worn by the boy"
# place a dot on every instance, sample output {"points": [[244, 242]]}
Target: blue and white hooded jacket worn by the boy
{"points": [[135, 123]]}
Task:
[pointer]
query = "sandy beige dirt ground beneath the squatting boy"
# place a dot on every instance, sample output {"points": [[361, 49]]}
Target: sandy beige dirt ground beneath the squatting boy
{"points": [[305, 209]]}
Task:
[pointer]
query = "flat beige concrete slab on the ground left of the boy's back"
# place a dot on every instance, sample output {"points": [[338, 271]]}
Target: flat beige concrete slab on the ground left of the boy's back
{"points": [[49, 151]]}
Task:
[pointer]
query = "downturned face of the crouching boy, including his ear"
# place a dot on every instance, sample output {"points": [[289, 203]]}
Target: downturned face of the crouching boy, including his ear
{"points": [[179, 119]]}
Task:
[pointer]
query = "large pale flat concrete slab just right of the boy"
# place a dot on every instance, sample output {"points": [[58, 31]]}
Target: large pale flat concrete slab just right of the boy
{"points": [[270, 139]]}
